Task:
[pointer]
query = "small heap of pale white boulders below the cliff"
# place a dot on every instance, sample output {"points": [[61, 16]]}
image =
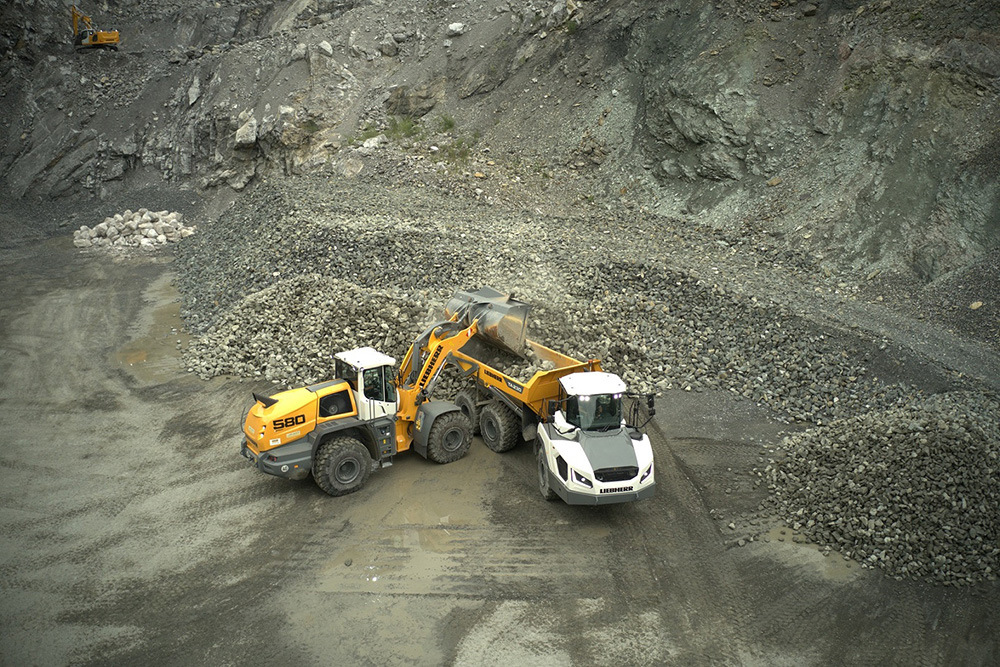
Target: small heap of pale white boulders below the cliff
{"points": [[134, 229]]}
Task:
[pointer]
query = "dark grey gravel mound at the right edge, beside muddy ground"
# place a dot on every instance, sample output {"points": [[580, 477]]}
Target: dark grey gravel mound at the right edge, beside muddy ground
{"points": [[912, 490]]}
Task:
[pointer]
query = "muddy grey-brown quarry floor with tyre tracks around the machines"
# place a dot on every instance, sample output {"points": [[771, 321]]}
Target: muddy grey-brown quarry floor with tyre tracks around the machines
{"points": [[132, 532]]}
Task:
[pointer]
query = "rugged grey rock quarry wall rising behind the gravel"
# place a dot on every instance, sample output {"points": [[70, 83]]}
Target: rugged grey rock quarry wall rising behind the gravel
{"points": [[866, 133]]}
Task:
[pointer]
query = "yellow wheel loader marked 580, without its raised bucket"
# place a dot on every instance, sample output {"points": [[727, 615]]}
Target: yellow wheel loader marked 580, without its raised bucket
{"points": [[339, 430]]}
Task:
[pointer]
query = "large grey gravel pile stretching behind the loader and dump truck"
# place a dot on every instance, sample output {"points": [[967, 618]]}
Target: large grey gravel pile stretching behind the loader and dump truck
{"points": [[659, 328]]}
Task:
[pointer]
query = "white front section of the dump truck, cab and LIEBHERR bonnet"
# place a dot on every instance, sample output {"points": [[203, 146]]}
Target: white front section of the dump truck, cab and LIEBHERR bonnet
{"points": [[587, 454]]}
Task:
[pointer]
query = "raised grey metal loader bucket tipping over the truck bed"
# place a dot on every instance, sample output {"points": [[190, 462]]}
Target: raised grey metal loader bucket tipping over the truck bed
{"points": [[503, 321]]}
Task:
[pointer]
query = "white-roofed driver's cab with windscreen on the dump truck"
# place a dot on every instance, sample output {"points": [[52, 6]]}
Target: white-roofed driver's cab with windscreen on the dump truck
{"points": [[591, 401]]}
